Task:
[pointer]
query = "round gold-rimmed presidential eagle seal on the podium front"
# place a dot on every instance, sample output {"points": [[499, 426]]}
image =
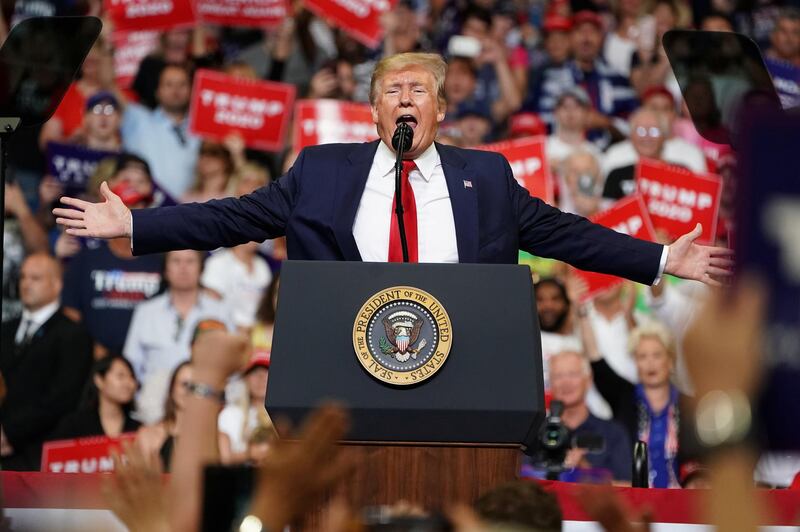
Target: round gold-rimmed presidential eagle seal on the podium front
{"points": [[402, 335]]}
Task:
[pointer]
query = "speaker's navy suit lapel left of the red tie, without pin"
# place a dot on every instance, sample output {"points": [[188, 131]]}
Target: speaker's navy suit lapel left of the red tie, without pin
{"points": [[351, 178]]}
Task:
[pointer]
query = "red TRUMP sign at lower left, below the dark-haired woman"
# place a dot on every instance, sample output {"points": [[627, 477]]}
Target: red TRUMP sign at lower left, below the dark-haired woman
{"points": [[84, 455]]}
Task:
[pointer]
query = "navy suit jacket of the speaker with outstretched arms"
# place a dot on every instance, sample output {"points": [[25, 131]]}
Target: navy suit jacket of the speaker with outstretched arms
{"points": [[314, 205]]}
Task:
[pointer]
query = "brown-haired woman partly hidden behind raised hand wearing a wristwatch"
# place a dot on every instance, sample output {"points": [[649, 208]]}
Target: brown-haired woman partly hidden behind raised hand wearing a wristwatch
{"points": [[161, 436]]}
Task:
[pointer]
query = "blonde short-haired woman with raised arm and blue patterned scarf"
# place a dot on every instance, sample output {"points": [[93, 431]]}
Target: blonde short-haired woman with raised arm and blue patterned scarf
{"points": [[650, 410]]}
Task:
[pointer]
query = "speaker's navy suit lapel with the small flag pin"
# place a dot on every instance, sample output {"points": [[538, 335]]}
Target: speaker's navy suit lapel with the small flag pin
{"points": [[462, 187]]}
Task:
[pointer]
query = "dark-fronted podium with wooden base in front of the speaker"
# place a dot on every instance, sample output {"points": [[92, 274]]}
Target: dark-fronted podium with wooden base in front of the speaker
{"points": [[487, 395]]}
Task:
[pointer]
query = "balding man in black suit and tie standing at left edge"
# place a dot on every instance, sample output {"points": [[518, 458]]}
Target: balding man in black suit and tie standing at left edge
{"points": [[45, 361]]}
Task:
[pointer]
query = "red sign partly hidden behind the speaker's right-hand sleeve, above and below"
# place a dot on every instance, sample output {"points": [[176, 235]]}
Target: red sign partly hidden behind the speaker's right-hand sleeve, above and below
{"points": [[629, 216]]}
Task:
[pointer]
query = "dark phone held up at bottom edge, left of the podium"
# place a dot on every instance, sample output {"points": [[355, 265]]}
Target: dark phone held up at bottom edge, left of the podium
{"points": [[227, 491]]}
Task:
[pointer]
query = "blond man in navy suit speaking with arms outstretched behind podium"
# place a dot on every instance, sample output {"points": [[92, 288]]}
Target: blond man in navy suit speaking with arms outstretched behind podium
{"points": [[336, 203]]}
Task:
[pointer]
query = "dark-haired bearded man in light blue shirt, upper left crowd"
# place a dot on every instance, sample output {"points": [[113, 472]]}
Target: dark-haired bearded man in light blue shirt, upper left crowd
{"points": [[161, 135]]}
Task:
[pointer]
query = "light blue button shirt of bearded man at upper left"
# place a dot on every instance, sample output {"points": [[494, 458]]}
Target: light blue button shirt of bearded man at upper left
{"points": [[169, 148]]}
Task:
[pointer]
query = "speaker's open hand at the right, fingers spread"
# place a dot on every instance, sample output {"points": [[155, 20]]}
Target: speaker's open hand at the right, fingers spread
{"points": [[701, 263]]}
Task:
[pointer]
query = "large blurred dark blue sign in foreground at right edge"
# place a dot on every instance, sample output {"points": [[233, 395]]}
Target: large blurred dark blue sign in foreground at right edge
{"points": [[768, 243]]}
